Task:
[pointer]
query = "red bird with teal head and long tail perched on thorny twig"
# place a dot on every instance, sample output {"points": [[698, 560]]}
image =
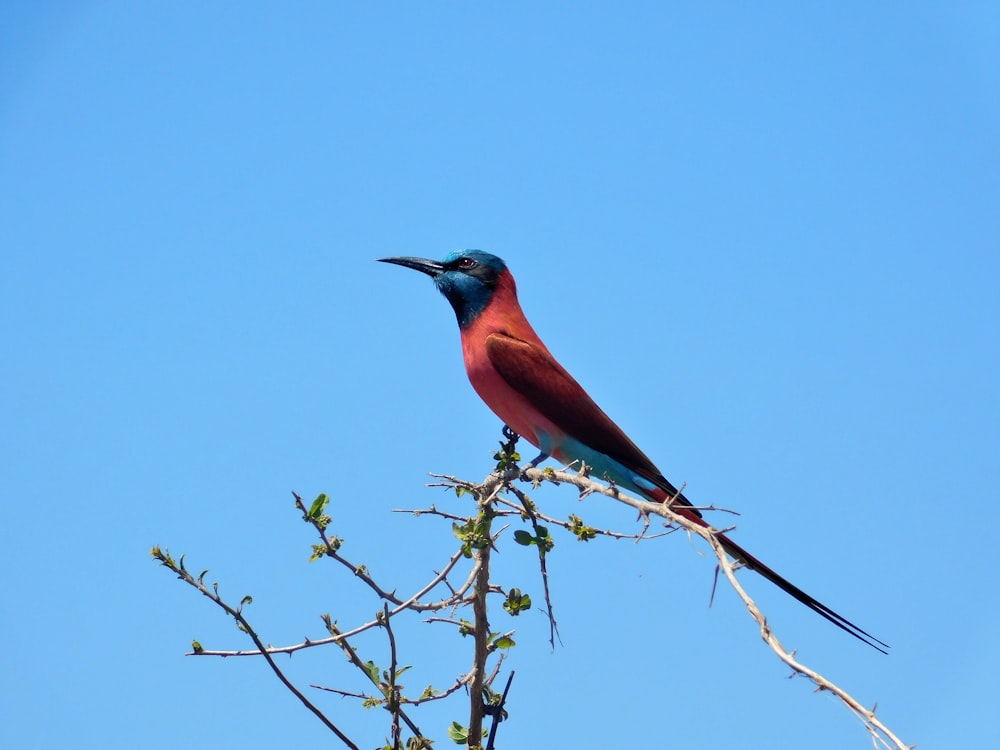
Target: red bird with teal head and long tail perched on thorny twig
{"points": [[517, 377]]}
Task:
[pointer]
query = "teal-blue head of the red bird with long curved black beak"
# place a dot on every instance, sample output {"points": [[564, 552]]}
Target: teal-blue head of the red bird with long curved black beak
{"points": [[467, 278]]}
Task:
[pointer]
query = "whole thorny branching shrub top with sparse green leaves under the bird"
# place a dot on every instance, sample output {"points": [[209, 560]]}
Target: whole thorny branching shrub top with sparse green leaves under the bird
{"points": [[479, 541]]}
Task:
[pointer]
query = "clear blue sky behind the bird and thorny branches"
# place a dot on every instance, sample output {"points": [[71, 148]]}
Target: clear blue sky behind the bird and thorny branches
{"points": [[766, 239]]}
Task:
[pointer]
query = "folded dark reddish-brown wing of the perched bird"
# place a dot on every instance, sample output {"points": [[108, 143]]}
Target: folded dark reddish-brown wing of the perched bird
{"points": [[534, 373]]}
